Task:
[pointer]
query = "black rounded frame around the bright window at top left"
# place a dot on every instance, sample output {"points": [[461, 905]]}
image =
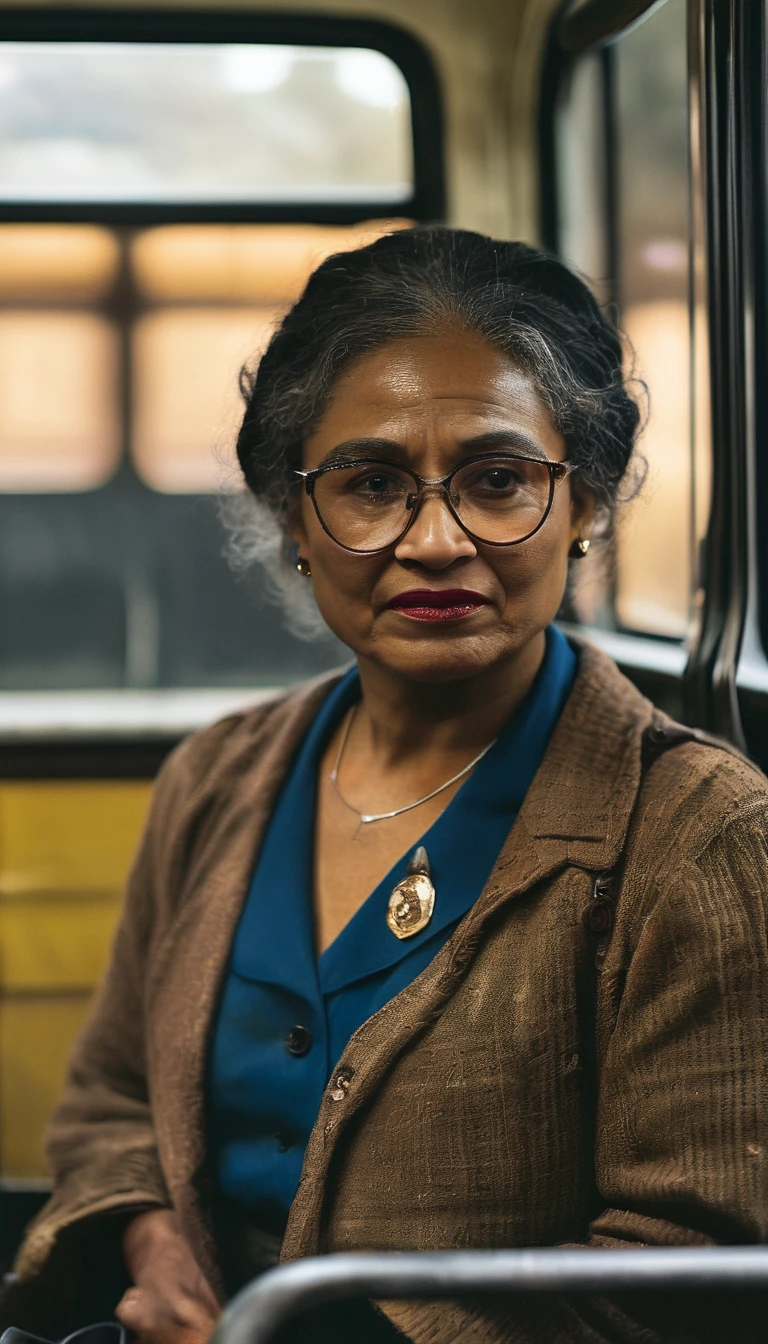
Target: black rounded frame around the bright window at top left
{"points": [[232, 28]]}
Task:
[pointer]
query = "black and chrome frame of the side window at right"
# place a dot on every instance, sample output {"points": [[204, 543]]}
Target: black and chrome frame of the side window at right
{"points": [[724, 683]]}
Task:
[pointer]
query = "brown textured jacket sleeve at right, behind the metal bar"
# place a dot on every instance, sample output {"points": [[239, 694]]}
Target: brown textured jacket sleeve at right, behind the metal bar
{"points": [[683, 1109]]}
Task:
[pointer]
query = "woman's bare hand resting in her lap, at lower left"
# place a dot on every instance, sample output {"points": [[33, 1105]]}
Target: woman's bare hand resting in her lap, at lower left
{"points": [[171, 1302]]}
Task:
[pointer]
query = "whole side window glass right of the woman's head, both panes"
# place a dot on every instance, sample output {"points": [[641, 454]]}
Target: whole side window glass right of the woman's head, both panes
{"points": [[622, 162]]}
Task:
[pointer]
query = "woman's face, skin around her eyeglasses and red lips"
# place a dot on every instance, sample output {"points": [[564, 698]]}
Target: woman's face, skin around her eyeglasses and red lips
{"points": [[431, 400]]}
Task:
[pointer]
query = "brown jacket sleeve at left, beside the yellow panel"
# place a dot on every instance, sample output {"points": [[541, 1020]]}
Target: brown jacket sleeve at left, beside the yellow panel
{"points": [[102, 1142]]}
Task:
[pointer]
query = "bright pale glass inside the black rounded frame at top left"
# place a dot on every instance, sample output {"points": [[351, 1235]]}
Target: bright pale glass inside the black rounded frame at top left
{"points": [[202, 123]]}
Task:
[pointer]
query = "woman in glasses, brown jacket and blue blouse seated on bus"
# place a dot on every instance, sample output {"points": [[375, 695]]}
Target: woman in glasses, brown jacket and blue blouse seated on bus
{"points": [[465, 947]]}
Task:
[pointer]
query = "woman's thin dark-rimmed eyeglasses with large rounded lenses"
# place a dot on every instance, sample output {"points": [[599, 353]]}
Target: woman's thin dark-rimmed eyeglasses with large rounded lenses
{"points": [[498, 499]]}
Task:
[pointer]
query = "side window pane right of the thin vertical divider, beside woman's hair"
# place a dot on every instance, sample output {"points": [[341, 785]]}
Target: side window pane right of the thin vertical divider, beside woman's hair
{"points": [[654, 550]]}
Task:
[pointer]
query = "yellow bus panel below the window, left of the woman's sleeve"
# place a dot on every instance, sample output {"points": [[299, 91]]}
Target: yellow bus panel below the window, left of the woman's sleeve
{"points": [[65, 851]]}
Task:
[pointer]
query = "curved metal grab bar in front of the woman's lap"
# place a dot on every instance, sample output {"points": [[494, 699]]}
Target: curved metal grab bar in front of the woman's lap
{"points": [[270, 1303]]}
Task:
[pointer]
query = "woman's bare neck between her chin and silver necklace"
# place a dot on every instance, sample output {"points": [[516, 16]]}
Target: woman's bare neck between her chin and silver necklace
{"points": [[400, 718]]}
